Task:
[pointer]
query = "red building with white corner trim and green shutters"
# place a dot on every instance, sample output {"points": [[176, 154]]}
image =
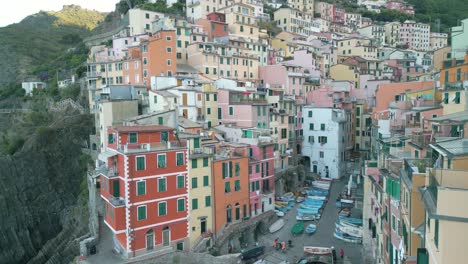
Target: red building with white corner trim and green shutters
{"points": [[144, 186]]}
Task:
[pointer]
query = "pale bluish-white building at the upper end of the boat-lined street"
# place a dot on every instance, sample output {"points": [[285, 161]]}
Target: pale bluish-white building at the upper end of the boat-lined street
{"points": [[324, 140]]}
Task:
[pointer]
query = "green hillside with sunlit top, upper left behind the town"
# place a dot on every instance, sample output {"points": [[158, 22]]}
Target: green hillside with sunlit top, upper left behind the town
{"points": [[37, 43]]}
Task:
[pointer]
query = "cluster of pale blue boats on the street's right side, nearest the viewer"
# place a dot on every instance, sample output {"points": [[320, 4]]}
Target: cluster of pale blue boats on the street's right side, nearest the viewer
{"points": [[349, 229]]}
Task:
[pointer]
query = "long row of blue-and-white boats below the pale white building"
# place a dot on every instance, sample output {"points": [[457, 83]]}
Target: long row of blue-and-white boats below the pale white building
{"points": [[314, 202]]}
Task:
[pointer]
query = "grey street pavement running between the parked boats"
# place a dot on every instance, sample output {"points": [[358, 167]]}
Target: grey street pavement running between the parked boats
{"points": [[323, 237]]}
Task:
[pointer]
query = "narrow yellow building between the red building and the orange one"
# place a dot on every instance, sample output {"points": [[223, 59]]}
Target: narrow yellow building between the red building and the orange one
{"points": [[200, 194]]}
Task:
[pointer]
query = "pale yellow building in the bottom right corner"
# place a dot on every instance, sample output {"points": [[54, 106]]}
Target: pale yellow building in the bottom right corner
{"points": [[444, 197]]}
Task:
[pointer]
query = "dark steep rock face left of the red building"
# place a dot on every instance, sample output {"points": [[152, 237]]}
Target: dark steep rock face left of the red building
{"points": [[41, 209]]}
